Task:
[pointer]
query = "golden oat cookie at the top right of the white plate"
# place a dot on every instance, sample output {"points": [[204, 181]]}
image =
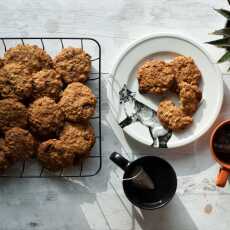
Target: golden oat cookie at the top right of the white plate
{"points": [[185, 71]]}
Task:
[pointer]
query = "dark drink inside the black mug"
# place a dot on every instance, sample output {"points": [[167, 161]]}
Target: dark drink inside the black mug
{"points": [[164, 182]]}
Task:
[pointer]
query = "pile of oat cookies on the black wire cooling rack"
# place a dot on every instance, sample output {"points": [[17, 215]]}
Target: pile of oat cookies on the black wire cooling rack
{"points": [[45, 107]]}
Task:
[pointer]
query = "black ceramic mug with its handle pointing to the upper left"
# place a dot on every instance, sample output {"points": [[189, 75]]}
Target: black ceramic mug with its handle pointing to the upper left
{"points": [[161, 173]]}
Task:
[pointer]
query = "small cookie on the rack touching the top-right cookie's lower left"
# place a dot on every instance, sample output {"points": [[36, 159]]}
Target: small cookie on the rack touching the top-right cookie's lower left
{"points": [[46, 83]]}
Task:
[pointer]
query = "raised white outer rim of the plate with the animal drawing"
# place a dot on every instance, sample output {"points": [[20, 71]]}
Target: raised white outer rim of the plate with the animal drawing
{"points": [[194, 43]]}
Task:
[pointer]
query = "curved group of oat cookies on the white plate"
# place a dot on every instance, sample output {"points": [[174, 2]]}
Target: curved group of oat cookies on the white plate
{"points": [[180, 76]]}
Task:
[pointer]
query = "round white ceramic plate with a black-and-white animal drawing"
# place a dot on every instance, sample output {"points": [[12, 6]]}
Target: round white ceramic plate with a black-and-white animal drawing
{"points": [[136, 113]]}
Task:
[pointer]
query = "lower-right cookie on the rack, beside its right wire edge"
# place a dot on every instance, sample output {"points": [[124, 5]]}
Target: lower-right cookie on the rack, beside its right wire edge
{"points": [[79, 137]]}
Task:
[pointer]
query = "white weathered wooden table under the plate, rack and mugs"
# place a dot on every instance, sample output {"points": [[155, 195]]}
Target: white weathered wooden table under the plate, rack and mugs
{"points": [[99, 203]]}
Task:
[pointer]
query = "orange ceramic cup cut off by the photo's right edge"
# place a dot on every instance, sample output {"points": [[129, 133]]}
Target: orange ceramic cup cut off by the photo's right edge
{"points": [[224, 171]]}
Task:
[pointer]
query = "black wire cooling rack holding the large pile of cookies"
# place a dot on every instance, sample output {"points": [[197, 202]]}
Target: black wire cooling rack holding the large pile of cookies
{"points": [[92, 165]]}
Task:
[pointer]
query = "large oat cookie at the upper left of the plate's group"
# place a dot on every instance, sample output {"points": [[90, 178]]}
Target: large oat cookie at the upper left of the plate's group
{"points": [[155, 77]]}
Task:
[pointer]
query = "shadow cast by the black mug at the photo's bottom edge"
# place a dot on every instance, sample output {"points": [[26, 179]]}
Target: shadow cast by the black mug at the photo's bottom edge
{"points": [[172, 216]]}
